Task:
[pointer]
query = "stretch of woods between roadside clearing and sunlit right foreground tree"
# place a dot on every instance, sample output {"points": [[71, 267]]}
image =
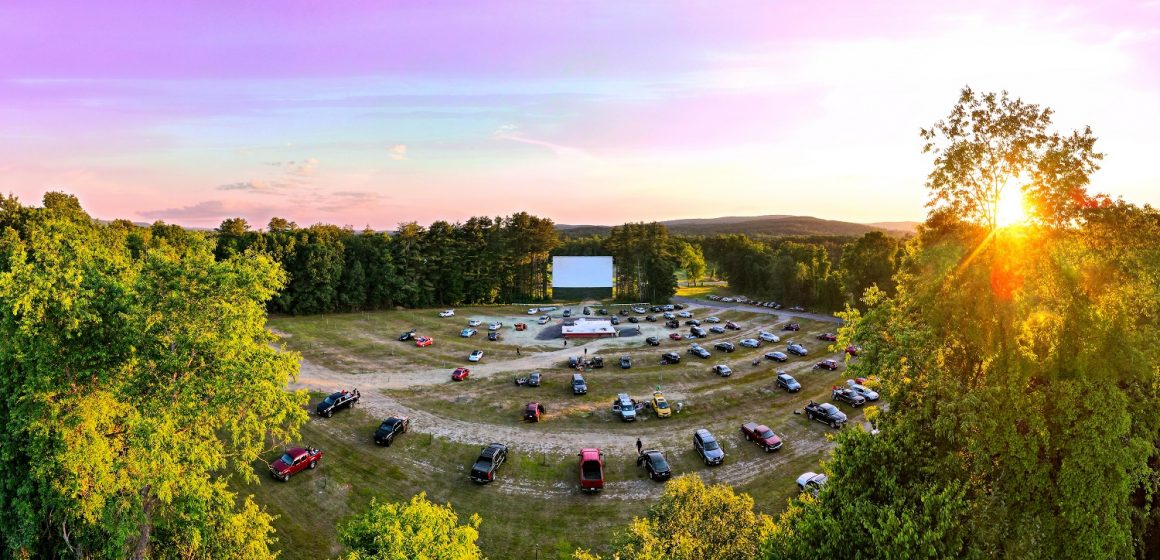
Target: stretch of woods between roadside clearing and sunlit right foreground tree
{"points": [[795, 272]]}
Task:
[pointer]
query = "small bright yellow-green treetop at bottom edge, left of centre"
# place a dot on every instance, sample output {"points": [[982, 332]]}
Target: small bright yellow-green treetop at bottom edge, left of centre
{"points": [[410, 532]]}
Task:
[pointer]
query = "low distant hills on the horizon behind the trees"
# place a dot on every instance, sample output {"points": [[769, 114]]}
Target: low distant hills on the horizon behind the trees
{"points": [[758, 226]]}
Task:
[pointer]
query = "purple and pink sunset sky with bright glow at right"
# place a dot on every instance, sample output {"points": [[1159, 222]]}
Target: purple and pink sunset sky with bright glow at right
{"points": [[378, 113]]}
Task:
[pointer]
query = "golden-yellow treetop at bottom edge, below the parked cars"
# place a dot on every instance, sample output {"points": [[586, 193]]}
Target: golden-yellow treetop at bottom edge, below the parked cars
{"points": [[693, 522]]}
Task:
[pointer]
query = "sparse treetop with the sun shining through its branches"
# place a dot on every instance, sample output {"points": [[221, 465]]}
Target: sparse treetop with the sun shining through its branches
{"points": [[991, 143]]}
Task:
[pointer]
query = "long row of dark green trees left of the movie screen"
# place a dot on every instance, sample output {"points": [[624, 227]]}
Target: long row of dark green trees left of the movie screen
{"points": [[481, 261]]}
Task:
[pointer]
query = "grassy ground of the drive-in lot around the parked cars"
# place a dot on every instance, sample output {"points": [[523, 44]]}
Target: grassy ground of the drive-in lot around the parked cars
{"points": [[533, 511]]}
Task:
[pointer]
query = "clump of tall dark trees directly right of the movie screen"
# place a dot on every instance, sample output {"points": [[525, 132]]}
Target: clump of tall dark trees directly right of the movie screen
{"points": [[646, 259]]}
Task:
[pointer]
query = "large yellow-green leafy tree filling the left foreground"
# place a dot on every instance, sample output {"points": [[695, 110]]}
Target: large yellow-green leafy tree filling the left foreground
{"points": [[133, 386]]}
